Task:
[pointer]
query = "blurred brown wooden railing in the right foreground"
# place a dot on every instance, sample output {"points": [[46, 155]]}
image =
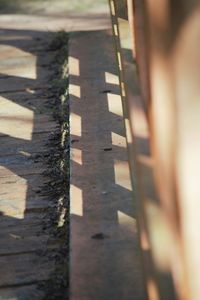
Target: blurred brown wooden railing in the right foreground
{"points": [[166, 48]]}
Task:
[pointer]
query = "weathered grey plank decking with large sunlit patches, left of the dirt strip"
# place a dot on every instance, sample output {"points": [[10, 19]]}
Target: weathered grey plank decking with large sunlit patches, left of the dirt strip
{"points": [[25, 125]]}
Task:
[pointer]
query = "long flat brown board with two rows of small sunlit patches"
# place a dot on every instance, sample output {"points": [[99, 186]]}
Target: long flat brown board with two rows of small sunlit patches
{"points": [[105, 256]]}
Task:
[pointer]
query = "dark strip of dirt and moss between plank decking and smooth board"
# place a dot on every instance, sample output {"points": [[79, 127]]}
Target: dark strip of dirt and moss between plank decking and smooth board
{"points": [[56, 158]]}
